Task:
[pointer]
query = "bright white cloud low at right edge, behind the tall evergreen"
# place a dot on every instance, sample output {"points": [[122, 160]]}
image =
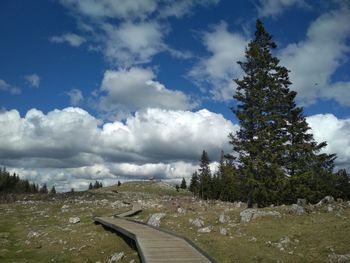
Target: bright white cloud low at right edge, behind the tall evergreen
{"points": [[327, 127]]}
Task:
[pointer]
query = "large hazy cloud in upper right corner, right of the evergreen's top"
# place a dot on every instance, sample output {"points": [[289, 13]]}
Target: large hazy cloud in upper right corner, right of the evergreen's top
{"points": [[314, 61]]}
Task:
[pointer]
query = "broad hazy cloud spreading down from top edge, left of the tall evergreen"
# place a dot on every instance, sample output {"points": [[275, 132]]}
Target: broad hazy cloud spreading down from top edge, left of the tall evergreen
{"points": [[129, 33]]}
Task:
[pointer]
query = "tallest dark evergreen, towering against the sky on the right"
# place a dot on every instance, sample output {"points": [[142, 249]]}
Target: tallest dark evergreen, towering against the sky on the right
{"points": [[273, 145]]}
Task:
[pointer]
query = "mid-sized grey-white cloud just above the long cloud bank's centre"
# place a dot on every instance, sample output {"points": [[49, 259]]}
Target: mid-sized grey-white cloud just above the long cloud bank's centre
{"points": [[130, 90]]}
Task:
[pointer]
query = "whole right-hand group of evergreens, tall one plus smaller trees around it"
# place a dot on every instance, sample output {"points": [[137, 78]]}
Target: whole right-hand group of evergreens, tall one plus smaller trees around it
{"points": [[275, 158]]}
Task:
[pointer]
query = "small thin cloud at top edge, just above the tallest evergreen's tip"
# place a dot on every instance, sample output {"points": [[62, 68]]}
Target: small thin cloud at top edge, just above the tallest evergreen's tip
{"points": [[276, 7]]}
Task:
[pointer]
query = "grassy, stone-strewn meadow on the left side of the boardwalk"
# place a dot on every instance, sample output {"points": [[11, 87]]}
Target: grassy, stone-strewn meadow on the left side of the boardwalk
{"points": [[39, 231]]}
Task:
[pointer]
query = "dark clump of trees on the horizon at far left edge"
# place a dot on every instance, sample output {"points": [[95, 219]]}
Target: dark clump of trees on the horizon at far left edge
{"points": [[13, 184]]}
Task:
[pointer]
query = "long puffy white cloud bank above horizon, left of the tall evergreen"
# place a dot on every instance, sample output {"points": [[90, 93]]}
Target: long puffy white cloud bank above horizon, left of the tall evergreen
{"points": [[70, 146]]}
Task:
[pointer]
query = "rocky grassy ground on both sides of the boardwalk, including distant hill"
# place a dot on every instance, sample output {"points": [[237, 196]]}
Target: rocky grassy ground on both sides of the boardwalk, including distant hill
{"points": [[61, 229]]}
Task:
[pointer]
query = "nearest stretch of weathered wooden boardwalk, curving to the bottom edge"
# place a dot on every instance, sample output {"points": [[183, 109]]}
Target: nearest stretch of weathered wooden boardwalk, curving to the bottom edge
{"points": [[156, 245]]}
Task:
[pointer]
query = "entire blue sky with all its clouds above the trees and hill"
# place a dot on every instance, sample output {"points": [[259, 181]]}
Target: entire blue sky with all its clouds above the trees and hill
{"points": [[114, 90]]}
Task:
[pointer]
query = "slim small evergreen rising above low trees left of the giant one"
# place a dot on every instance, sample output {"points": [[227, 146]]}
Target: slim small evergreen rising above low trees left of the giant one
{"points": [[204, 176]]}
